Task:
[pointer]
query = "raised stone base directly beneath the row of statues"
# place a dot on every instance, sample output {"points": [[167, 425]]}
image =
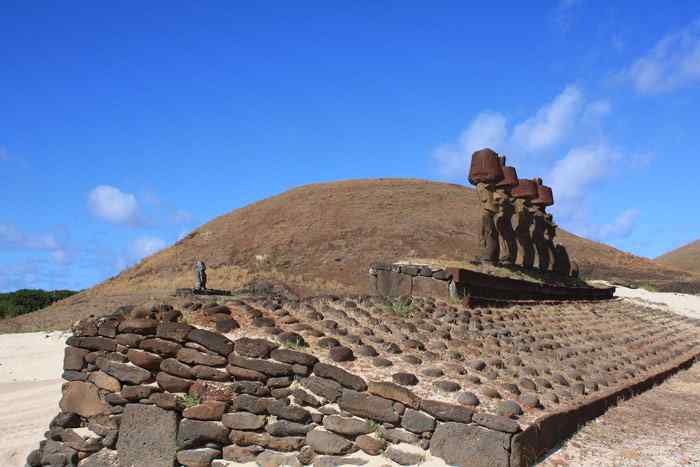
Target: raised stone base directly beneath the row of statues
{"points": [[477, 283]]}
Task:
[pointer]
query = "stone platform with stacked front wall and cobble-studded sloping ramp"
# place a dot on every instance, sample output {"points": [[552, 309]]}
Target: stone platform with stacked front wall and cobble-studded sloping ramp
{"points": [[308, 381]]}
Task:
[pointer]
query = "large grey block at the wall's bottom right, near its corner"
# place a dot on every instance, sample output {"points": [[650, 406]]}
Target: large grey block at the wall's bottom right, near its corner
{"points": [[469, 445]]}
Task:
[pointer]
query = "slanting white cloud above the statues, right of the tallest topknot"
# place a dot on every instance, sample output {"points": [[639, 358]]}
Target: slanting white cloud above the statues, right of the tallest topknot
{"points": [[551, 123]]}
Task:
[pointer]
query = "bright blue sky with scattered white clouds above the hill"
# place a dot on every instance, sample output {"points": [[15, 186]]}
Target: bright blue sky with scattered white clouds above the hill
{"points": [[123, 126]]}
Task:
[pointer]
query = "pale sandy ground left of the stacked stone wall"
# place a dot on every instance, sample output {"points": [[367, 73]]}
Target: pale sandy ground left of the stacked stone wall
{"points": [[30, 388]]}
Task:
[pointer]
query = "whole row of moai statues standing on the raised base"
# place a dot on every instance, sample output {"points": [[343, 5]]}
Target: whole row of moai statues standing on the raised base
{"points": [[516, 229]]}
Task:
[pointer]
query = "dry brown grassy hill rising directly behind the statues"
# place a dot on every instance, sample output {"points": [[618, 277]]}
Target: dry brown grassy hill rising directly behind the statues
{"points": [[321, 238]]}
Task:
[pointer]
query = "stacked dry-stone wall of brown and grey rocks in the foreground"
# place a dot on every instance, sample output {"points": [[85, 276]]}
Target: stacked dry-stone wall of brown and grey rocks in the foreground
{"points": [[152, 391]]}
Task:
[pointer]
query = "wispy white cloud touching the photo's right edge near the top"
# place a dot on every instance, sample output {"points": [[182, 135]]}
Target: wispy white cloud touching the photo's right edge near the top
{"points": [[672, 63]]}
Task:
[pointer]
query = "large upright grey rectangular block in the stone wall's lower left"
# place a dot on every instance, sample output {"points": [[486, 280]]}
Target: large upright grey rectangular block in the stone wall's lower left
{"points": [[147, 436]]}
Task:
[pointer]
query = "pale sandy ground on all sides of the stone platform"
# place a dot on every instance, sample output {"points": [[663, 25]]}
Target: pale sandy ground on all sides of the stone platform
{"points": [[659, 427]]}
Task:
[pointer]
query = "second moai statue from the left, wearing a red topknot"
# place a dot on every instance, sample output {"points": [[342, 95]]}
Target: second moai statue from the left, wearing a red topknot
{"points": [[504, 216]]}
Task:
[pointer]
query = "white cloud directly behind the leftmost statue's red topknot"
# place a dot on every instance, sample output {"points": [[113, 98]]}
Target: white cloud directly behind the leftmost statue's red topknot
{"points": [[488, 129]]}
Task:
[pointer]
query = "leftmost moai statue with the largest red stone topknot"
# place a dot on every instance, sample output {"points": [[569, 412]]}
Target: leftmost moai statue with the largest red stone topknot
{"points": [[485, 171]]}
